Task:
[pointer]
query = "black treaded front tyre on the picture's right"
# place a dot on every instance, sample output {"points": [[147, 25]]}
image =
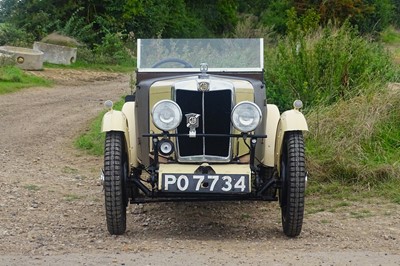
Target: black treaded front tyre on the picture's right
{"points": [[293, 180]]}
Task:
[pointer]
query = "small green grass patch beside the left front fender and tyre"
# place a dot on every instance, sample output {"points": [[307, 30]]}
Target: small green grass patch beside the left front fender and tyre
{"points": [[92, 140]]}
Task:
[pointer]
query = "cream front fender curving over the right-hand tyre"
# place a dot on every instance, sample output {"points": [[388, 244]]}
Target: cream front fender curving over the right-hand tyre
{"points": [[291, 120]]}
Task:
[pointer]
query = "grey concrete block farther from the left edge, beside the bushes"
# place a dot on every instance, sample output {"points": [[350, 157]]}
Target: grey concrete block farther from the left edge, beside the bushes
{"points": [[56, 54]]}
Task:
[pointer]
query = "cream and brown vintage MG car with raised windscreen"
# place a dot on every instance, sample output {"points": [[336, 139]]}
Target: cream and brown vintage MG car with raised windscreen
{"points": [[197, 126]]}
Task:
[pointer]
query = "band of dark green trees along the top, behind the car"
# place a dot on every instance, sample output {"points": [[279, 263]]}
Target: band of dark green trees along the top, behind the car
{"points": [[89, 21]]}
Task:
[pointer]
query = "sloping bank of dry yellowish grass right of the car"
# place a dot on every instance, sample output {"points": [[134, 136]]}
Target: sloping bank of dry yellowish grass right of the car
{"points": [[356, 140]]}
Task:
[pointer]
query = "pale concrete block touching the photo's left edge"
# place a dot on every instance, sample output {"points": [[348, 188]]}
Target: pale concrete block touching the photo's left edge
{"points": [[25, 58]]}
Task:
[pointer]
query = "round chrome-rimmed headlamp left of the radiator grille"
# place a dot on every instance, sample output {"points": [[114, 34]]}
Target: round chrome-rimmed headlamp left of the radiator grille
{"points": [[176, 110]]}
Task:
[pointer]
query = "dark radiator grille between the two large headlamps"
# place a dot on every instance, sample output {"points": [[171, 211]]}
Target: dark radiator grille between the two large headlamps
{"points": [[214, 108]]}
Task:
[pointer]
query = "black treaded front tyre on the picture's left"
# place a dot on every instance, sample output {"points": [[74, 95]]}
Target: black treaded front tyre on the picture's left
{"points": [[115, 173]]}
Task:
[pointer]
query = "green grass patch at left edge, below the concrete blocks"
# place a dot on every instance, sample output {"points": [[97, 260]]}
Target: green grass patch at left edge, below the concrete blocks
{"points": [[13, 79]]}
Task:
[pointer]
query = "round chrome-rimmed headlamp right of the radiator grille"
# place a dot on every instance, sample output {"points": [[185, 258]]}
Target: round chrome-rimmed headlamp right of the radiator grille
{"points": [[257, 116]]}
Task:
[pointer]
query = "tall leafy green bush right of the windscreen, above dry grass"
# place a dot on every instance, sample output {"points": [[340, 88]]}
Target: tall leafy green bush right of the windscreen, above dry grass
{"points": [[325, 66]]}
